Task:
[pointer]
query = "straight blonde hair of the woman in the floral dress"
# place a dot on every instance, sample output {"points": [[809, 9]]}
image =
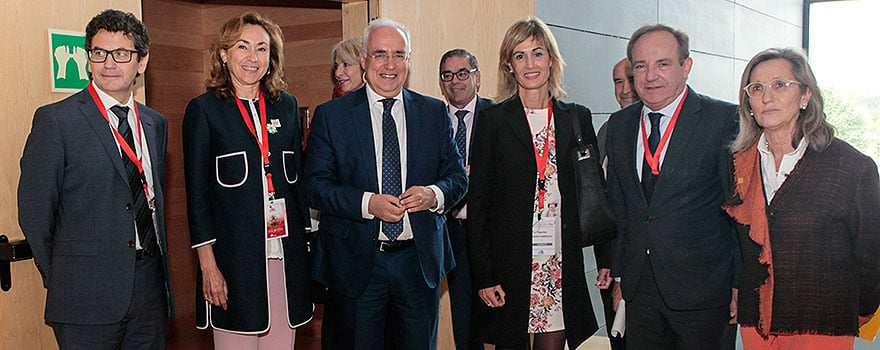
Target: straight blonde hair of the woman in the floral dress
{"points": [[522, 30]]}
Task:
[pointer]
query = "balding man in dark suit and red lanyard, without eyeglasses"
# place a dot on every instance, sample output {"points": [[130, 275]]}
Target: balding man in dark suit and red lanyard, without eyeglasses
{"points": [[668, 163]]}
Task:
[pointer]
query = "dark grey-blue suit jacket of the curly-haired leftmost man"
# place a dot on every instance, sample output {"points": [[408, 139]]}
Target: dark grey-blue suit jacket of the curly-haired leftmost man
{"points": [[72, 200]]}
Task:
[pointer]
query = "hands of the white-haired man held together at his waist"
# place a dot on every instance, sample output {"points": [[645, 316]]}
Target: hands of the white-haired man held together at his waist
{"points": [[389, 208]]}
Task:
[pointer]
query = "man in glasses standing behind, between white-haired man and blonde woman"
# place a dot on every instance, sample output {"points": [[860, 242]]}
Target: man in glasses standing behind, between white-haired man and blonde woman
{"points": [[459, 81]]}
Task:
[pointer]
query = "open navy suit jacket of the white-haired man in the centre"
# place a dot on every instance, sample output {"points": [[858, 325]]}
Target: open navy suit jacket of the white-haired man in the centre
{"points": [[340, 166]]}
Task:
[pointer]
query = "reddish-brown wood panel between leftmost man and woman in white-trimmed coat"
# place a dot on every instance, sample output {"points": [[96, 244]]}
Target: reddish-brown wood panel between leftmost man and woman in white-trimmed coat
{"points": [[176, 74]]}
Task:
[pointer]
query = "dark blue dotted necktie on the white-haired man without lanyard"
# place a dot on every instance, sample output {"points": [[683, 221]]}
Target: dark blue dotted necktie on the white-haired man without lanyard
{"points": [[390, 165]]}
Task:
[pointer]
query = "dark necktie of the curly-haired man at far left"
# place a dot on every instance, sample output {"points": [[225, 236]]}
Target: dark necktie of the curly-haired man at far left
{"points": [[136, 181]]}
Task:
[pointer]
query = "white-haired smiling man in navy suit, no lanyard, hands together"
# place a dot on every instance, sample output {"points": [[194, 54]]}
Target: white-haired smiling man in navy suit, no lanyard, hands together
{"points": [[382, 167]]}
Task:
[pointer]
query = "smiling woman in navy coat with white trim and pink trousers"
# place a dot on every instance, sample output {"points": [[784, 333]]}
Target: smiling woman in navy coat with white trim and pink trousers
{"points": [[252, 288]]}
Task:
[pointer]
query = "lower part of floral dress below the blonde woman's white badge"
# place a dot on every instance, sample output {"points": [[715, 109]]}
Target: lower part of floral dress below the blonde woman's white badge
{"points": [[545, 306]]}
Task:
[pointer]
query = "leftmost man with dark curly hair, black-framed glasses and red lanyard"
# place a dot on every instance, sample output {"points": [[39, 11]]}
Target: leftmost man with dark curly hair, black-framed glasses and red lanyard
{"points": [[90, 200]]}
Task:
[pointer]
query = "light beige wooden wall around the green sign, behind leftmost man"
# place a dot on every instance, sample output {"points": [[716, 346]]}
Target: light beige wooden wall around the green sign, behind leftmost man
{"points": [[26, 85]]}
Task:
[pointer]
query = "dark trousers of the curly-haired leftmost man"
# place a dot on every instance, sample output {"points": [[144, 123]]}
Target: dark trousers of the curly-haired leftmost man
{"points": [[144, 326]]}
